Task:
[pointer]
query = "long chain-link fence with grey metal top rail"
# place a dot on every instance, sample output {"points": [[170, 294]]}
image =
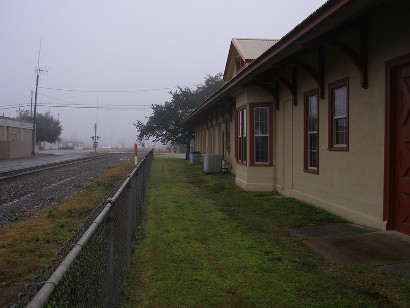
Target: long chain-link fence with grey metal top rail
{"points": [[93, 271]]}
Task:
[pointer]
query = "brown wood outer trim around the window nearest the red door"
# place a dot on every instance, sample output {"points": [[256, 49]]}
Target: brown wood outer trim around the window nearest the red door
{"points": [[332, 86]]}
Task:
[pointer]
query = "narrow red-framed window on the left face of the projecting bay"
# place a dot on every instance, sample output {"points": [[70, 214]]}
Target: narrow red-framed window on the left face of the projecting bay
{"points": [[241, 141]]}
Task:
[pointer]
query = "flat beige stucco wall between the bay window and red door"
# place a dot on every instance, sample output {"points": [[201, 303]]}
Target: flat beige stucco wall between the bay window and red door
{"points": [[350, 183]]}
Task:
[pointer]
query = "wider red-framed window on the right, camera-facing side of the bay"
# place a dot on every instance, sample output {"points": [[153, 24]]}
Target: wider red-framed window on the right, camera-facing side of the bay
{"points": [[261, 137]]}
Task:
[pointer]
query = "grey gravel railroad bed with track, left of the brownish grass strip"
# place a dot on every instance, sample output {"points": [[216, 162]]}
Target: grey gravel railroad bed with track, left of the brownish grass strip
{"points": [[24, 192]]}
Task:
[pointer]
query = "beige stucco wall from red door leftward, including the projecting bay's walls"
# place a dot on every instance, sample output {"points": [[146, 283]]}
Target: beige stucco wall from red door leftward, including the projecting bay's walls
{"points": [[349, 183]]}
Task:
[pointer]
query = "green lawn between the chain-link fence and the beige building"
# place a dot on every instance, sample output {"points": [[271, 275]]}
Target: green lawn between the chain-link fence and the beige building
{"points": [[207, 243]]}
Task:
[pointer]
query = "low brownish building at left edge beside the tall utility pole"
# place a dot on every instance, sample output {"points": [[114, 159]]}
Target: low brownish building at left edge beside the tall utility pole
{"points": [[15, 138]]}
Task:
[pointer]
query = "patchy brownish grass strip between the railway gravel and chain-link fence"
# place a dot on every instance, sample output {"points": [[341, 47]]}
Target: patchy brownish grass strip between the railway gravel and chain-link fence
{"points": [[29, 245]]}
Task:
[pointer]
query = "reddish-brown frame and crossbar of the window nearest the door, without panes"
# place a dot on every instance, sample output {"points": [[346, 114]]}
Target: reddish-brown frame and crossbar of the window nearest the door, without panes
{"points": [[331, 134]]}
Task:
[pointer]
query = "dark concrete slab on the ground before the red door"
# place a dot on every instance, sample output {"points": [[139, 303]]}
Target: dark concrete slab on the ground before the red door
{"points": [[353, 244]]}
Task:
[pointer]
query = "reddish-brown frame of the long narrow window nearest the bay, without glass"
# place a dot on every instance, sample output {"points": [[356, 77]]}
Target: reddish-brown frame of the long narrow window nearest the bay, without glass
{"points": [[306, 167]]}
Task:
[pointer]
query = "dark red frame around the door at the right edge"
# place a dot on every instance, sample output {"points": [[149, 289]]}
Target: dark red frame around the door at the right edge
{"points": [[389, 140]]}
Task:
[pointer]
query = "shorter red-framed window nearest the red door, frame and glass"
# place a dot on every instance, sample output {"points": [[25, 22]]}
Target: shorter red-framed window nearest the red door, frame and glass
{"points": [[339, 115]]}
